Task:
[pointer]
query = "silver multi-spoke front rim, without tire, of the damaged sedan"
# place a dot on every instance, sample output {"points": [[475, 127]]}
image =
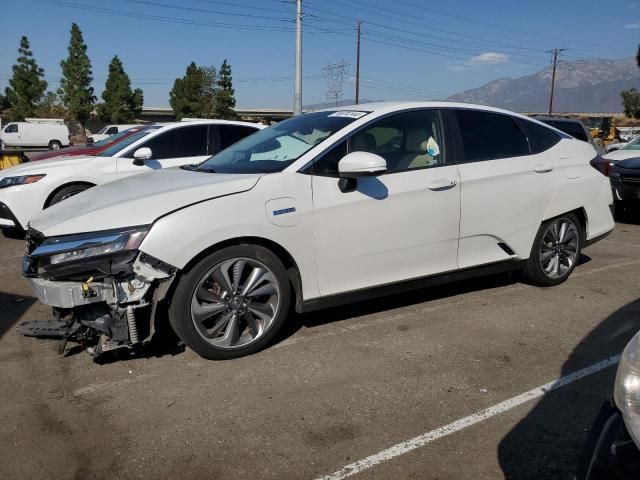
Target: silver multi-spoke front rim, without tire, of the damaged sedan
{"points": [[235, 303]]}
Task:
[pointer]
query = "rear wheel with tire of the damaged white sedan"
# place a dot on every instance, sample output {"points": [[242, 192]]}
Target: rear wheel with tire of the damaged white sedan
{"points": [[555, 252]]}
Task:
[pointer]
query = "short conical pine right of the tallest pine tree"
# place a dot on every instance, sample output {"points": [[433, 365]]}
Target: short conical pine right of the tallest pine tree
{"points": [[121, 105]]}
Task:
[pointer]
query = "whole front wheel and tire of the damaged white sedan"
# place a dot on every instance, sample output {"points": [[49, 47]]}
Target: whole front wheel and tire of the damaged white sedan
{"points": [[231, 303]]}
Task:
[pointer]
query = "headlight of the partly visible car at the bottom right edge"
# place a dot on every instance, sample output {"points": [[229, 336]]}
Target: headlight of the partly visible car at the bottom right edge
{"points": [[627, 387]]}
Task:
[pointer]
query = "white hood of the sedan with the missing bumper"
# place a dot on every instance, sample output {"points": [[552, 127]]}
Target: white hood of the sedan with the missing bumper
{"points": [[137, 200]]}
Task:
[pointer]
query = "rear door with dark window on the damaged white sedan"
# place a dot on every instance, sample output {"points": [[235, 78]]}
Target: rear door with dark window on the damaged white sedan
{"points": [[506, 187]]}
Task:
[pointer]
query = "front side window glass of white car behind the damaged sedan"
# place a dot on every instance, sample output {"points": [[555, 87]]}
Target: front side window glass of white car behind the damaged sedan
{"points": [[178, 142]]}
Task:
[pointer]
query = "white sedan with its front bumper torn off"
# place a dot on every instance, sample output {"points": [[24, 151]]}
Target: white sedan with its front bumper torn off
{"points": [[345, 204]]}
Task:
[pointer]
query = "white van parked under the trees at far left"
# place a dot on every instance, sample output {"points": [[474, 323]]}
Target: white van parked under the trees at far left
{"points": [[53, 134]]}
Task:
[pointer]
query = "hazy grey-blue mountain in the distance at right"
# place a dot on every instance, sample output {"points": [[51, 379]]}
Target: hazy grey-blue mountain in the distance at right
{"points": [[581, 86]]}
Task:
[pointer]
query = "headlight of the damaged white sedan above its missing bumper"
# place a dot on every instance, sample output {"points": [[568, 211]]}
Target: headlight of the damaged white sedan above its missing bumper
{"points": [[69, 248]]}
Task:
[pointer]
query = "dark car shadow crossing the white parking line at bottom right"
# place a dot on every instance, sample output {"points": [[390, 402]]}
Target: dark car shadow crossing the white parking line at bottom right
{"points": [[547, 442]]}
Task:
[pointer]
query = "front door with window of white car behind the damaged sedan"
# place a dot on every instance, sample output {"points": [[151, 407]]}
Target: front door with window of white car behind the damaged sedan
{"points": [[182, 145]]}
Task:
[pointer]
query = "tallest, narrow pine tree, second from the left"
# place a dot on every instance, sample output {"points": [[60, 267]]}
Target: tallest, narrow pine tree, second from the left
{"points": [[75, 87]]}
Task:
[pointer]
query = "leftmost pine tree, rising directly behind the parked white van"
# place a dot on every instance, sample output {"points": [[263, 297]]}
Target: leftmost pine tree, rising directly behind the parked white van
{"points": [[26, 87]]}
